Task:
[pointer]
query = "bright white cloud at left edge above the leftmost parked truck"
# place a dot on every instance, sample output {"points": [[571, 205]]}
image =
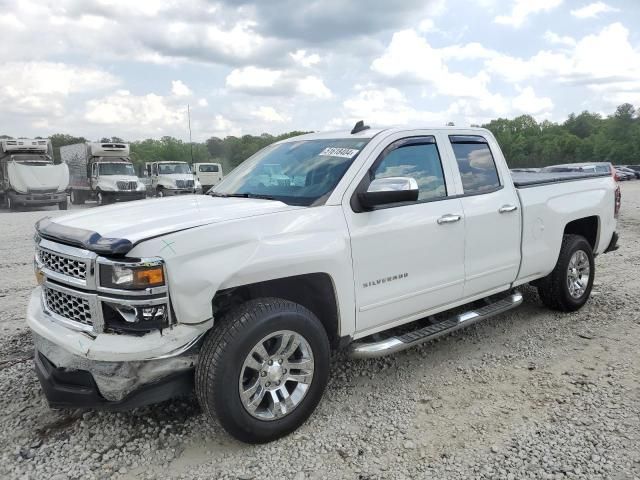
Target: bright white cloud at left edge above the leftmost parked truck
{"points": [[44, 87]]}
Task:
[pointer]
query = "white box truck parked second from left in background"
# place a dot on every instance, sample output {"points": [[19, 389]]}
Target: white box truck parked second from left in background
{"points": [[101, 172]]}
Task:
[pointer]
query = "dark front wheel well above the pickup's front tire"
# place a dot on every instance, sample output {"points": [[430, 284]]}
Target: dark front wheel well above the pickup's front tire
{"points": [[314, 291]]}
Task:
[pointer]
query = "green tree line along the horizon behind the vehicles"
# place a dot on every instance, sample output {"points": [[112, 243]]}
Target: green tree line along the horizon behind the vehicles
{"points": [[584, 137]]}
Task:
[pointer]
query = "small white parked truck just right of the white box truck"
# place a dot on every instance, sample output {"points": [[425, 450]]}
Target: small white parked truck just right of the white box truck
{"points": [[171, 178]]}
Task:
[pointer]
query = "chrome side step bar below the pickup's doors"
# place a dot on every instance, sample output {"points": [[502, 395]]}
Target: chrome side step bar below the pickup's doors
{"points": [[398, 343]]}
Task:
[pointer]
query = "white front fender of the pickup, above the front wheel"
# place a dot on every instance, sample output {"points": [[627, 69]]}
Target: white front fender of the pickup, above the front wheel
{"points": [[203, 260]]}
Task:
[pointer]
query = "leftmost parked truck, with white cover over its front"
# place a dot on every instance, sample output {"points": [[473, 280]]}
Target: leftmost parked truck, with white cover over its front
{"points": [[28, 175]]}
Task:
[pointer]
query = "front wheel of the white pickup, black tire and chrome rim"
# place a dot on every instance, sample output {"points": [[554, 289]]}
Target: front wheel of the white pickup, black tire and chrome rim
{"points": [[224, 356]]}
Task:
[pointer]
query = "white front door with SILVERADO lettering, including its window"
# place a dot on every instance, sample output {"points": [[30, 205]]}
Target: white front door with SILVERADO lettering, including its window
{"points": [[408, 258]]}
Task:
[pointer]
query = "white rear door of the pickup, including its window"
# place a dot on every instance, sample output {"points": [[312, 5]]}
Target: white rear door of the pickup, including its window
{"points": [[492, 218]]}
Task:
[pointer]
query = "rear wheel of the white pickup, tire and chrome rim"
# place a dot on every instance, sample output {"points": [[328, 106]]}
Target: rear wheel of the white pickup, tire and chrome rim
{"points": [[555, 290]]}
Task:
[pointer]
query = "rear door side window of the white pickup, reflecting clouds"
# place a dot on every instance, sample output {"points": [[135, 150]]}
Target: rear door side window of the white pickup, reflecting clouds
{"points": [[476, 164]]}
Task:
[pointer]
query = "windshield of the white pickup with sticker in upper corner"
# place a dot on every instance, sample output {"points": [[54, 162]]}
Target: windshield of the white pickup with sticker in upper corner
{"points": [[297, 173]]}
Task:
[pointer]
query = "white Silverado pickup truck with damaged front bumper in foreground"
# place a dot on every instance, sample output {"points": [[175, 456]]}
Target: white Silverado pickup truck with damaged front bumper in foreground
{"points": [[378, 240]]}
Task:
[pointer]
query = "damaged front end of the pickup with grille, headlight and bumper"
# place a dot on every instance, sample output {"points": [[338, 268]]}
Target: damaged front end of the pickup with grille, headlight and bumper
{"points": [[104, 330]]}
